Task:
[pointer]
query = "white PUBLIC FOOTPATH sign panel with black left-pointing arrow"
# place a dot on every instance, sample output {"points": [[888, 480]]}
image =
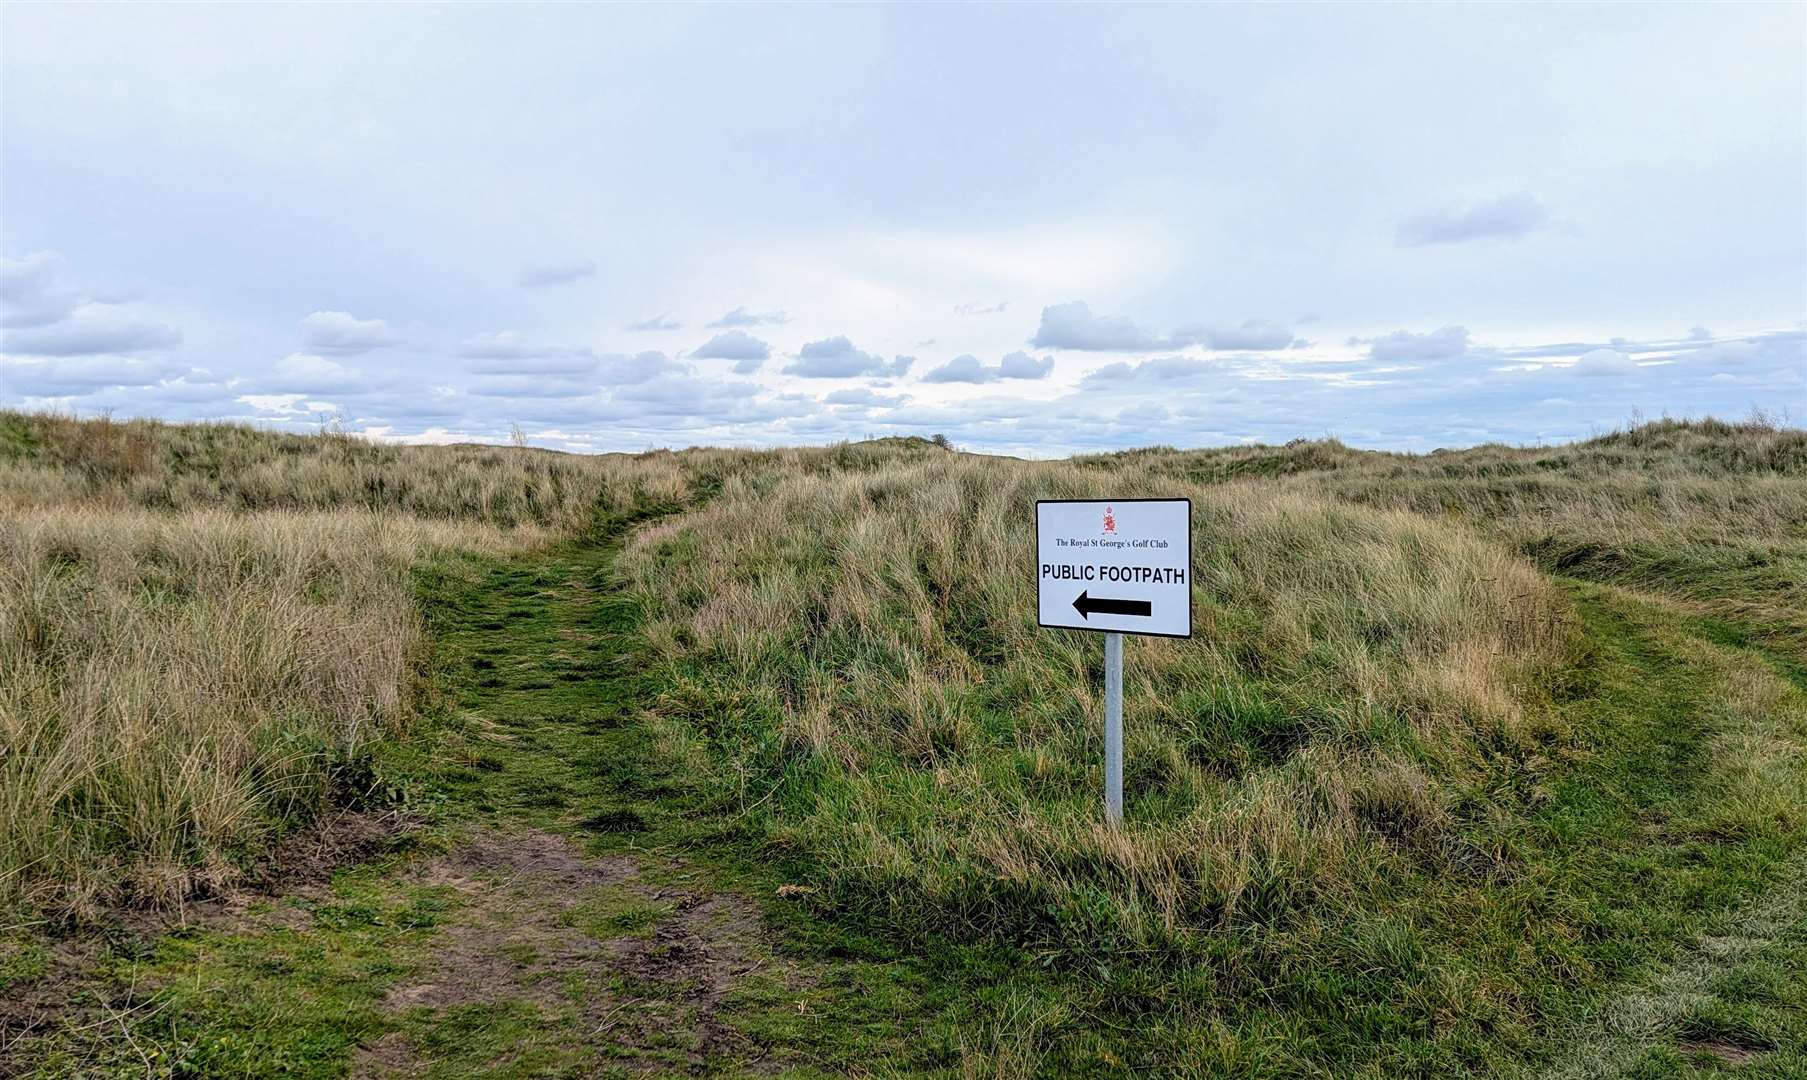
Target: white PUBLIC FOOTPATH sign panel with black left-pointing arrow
{"points": [[1118, 564]]}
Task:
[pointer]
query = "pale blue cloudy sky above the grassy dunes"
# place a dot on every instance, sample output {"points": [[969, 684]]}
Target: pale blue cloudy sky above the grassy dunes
{"points": [[1035, 230]]}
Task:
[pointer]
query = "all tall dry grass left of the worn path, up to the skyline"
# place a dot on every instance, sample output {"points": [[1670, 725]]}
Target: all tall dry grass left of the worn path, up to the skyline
{"points": [[203, 629]]}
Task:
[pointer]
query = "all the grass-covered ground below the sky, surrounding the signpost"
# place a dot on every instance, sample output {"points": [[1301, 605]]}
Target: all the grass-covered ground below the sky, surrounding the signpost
{"points": [[1479, 763]]}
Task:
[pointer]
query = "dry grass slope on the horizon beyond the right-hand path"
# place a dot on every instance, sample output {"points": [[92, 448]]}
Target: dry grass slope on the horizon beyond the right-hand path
{"points": [[1705, 514]]}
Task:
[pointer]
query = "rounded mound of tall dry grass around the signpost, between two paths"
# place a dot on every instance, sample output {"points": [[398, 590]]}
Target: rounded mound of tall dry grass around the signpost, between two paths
{"points": [[861, 649]]}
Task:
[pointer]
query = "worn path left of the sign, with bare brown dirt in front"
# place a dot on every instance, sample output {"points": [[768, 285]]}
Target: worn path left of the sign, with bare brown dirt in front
{"points": [[635, 958]]}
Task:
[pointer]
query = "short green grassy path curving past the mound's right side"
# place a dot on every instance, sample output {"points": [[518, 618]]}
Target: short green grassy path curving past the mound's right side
{"points": [[1728, 1000]]}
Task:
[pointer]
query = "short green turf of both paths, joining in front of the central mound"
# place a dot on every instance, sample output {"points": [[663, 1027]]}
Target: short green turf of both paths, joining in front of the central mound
{"points": [[1595, 915]]}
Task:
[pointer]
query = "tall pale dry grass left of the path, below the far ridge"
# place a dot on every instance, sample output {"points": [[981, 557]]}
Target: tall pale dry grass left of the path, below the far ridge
{"points": [[173, 687]]}
